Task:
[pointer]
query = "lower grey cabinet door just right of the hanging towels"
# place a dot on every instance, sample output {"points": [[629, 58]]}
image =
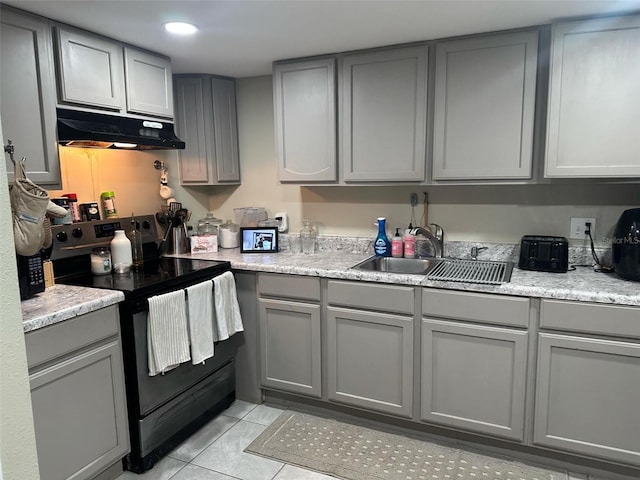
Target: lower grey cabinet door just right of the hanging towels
{"points": [[290, 346]]}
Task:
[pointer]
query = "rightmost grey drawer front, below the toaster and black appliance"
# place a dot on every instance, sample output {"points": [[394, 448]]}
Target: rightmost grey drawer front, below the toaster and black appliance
{"points": [[590, 318]]}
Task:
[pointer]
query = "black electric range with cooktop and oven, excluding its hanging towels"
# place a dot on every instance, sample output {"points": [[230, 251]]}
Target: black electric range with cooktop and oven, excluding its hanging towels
{"points": [[163, 409]]}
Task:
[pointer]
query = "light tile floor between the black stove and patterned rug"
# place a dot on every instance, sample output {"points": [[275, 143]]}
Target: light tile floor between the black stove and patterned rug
{"points": [[215, 452]]}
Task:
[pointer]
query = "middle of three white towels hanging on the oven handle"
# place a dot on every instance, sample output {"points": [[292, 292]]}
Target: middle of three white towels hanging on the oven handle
{"points": [[200, 309]]}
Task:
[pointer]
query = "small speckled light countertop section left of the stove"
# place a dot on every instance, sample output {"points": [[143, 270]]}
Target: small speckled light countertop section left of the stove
{"points": [[62, 302]]}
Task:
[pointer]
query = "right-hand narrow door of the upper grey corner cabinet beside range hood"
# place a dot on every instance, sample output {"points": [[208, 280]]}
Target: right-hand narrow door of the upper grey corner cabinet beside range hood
{"points": [[225, 129]]}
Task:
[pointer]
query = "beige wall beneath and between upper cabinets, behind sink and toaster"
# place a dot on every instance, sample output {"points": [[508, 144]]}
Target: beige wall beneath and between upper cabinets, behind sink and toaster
{"points": [[499, 214]]}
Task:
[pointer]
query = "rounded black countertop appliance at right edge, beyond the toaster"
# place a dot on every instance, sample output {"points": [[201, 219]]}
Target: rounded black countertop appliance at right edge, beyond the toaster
{"points": [[626, 245]]}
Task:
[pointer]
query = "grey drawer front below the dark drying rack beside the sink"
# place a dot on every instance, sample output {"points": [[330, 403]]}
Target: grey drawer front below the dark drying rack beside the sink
{"points": [[476, 307]]}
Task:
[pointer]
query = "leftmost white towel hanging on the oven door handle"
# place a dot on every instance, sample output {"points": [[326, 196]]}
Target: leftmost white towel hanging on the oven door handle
{"points": [[167, 336]]}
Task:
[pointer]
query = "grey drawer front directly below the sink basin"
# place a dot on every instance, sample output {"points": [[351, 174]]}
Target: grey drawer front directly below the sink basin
{"points": [[370, 296]]}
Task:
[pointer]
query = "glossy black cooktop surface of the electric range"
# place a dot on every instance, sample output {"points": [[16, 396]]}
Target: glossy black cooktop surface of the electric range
{"points": [[157, 276]]}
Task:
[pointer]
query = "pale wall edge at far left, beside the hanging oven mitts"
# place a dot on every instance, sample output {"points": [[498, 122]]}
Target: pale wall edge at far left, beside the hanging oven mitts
{"points": [[18, 457]]}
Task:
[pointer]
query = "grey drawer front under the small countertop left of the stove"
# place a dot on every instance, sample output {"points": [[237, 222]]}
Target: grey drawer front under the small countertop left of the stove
{"points": [[65, 337]]}
